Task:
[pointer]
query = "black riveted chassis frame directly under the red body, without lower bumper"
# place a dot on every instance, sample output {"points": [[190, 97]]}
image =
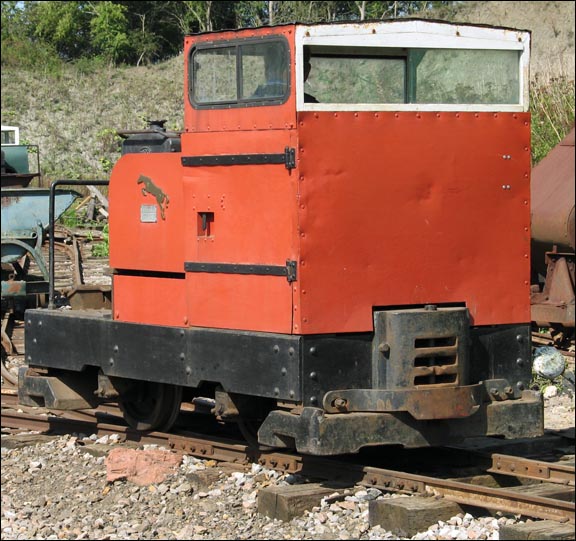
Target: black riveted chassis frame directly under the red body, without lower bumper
{"points": [[297, 368]]}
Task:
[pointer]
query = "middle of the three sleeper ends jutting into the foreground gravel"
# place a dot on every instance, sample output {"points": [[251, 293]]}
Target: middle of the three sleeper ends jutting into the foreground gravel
{"points": [[408, 516]]}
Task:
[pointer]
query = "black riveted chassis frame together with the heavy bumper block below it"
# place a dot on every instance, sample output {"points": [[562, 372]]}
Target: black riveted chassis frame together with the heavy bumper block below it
{"points": [[297, 369]]}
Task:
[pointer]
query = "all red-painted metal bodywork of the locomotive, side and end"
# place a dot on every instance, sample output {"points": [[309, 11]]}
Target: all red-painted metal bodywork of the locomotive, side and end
{"points": [[383, 209]]}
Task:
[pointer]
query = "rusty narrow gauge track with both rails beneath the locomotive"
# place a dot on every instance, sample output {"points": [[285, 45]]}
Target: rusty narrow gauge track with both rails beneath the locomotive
{"points": [[106, 420]]}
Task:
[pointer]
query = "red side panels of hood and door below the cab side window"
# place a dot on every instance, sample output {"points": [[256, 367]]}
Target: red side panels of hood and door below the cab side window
{"points": [[254, 222]]}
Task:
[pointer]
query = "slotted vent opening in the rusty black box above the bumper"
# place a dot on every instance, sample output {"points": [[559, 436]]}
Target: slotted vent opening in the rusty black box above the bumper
{"points": [[436, 361]]}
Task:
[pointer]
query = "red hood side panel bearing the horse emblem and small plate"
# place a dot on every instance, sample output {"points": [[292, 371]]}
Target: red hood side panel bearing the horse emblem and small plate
{"points": [[156, 247]]}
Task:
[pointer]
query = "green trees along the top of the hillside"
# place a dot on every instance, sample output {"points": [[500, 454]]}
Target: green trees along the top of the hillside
{"points": [[134, 32]]}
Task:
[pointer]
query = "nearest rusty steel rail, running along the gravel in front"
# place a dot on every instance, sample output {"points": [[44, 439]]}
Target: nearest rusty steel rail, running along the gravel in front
{"points": [[314, 467]]}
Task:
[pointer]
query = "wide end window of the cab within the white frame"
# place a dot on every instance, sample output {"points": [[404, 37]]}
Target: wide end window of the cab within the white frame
{"points": [[347, 75]]}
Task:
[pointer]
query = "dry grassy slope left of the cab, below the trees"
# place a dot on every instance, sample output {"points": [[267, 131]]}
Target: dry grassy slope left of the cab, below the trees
{"points": [[73, 117]]}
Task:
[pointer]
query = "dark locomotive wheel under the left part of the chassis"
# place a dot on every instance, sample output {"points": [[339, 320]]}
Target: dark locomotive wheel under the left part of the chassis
{"points": [[152, 406]]}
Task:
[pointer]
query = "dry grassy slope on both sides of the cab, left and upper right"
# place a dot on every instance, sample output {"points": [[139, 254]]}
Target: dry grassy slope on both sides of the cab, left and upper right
{"points": [[74, 115]]}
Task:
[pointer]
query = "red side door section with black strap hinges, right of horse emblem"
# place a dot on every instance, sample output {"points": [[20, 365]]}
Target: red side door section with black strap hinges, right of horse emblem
{"points": [[254, 223]]}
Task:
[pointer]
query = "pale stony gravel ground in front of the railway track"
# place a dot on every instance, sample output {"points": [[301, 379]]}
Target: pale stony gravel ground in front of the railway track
{"points": [[57, 488]]}
